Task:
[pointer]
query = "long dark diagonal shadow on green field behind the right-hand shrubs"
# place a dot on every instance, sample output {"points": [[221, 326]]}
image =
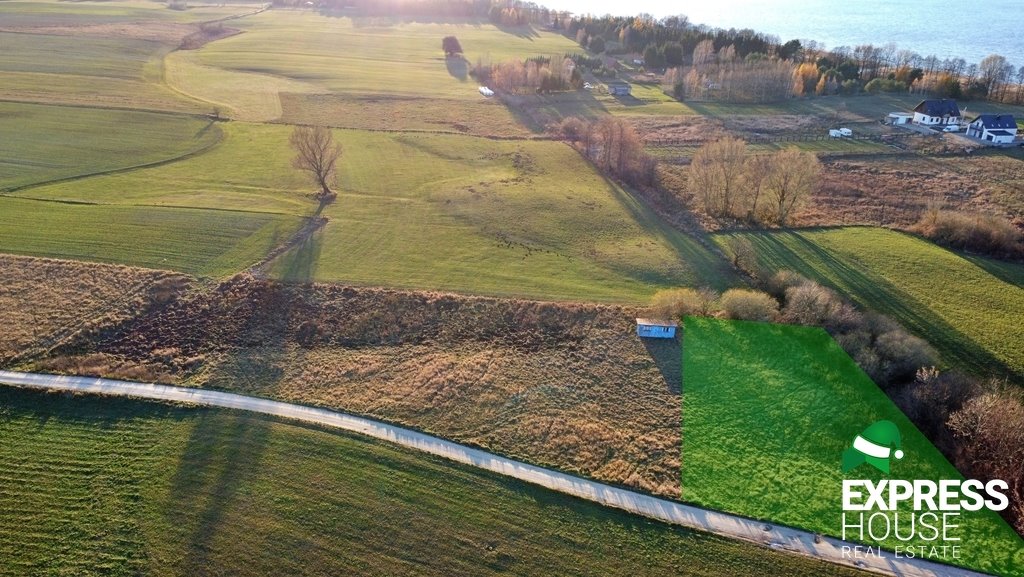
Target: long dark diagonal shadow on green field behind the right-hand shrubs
{"points": [[879, 295]]}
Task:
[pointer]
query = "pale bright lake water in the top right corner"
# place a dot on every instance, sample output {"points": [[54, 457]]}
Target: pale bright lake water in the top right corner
{"points": [[968, 30]]}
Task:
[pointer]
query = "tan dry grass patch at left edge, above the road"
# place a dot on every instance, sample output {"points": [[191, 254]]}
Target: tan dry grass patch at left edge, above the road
{"points": [[46, 303]]}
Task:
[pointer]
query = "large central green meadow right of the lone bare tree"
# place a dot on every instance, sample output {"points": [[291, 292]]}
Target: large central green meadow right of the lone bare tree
{"points": [[527, 219]]}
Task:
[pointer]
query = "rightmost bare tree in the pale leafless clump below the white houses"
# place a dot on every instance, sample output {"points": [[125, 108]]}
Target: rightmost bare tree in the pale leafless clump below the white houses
{"points": [[791, 181]]}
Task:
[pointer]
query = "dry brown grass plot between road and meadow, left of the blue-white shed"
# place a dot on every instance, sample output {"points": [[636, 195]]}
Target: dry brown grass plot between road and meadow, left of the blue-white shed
{"points": [[566, 386]]}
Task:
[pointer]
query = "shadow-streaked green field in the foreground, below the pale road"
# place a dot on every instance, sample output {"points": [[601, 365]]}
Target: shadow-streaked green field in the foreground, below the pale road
{"points": [[95, 486]]}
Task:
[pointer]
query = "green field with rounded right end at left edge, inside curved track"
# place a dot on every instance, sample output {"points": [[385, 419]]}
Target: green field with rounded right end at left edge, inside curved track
{"points": [[46, 143]]}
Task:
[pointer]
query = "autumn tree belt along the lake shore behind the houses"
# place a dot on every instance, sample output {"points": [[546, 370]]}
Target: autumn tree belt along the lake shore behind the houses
{"points": [[738, 65]]}
